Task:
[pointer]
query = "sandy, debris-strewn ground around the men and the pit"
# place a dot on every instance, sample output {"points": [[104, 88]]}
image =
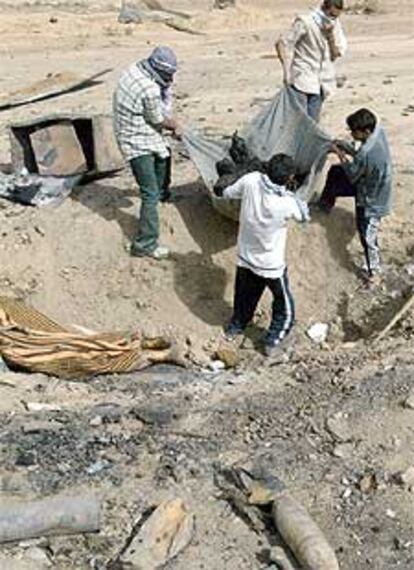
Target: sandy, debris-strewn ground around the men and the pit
{"points": [[71, 263]]}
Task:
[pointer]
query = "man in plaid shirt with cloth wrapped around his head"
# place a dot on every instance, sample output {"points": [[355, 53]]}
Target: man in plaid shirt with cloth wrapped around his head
{"points": [[140, 118]]}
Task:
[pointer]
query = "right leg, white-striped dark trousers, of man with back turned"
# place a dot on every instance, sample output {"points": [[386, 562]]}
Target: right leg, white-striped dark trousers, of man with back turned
{"points": [[283, 311]]}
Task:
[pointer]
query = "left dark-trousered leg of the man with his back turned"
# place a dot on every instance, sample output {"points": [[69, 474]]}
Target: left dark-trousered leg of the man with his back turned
{"points": [[248, 290]]}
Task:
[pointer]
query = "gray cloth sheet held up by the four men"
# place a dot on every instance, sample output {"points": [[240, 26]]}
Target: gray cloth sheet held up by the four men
{"points": [[281, 127]]}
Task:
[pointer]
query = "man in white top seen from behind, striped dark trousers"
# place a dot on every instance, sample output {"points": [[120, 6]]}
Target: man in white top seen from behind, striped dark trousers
{"points": [[266, 206]]}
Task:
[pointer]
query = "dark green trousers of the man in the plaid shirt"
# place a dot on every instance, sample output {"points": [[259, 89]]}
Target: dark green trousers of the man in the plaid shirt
{"points": [[150, 173]]}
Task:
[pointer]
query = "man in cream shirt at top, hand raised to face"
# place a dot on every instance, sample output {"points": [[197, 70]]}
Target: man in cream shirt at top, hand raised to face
{"points": [[308, 52]]}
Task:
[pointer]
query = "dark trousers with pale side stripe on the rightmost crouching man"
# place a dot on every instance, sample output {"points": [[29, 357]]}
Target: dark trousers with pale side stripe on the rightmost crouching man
{"points": [[338, 185]]}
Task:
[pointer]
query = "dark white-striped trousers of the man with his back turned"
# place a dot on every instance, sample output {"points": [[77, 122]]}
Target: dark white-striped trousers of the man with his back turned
{"points": [[248, 290]]}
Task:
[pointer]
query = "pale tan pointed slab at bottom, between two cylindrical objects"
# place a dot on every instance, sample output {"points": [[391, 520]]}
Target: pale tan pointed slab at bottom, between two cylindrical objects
{"points": [[168, 530]]}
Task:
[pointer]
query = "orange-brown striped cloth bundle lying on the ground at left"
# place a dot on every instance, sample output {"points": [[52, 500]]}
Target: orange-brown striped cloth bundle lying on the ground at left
{"points": [[31, 341]]}
